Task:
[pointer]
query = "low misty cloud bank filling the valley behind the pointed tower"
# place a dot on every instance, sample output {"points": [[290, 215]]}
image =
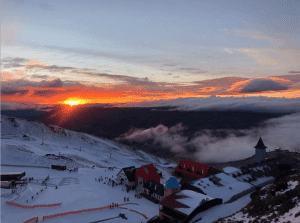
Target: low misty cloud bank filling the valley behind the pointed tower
{"points": [[206, 146]]}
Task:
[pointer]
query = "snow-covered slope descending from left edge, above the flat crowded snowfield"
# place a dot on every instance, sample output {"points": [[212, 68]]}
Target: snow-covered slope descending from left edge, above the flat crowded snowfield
{"points": [[26, 143]]}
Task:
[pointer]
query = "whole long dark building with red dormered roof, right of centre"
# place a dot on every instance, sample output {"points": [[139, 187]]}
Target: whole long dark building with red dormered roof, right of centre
{"points": [[191, 170]]}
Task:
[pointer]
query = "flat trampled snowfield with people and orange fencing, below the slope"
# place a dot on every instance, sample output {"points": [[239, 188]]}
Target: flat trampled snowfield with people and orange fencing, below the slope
{"points": [[76, 191]]}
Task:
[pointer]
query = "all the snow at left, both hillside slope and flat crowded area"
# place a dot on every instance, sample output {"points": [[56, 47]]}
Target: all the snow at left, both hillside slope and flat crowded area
{"points": [[76, 190]]}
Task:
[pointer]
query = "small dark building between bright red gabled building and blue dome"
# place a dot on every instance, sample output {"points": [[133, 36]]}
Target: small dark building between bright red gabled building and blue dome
{"points": [[153, 190]]}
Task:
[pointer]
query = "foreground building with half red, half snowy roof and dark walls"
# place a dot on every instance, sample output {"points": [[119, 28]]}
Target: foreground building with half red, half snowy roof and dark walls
{"points": [[182, 206]]}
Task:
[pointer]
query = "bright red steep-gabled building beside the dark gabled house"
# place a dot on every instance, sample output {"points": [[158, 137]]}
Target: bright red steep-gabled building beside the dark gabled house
{"points": [[145, 173]]}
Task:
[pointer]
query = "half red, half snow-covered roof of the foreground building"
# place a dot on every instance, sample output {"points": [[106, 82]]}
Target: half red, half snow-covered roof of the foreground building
{"points": [[185, 201]]}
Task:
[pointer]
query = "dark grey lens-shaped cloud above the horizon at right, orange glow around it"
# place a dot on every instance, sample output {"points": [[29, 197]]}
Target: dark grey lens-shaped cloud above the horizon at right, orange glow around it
{"points": [[260, 85]]}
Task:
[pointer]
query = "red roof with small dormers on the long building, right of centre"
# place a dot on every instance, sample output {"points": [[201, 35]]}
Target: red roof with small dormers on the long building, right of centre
{"points": [[192, 168]]}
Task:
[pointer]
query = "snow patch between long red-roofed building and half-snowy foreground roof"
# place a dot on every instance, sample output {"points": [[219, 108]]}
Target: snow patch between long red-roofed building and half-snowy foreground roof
{"points": [[223, 192]]}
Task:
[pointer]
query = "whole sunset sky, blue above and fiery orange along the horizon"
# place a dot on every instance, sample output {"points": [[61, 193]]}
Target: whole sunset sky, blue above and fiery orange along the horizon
{"points": [[77, 52]]}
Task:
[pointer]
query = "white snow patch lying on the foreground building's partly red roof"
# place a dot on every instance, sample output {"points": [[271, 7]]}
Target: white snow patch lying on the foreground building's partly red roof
{"points": [[193, 200]]}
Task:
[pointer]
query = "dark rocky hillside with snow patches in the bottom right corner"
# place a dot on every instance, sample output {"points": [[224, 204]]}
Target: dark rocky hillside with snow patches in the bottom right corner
{"points": [[279, 202]]}
